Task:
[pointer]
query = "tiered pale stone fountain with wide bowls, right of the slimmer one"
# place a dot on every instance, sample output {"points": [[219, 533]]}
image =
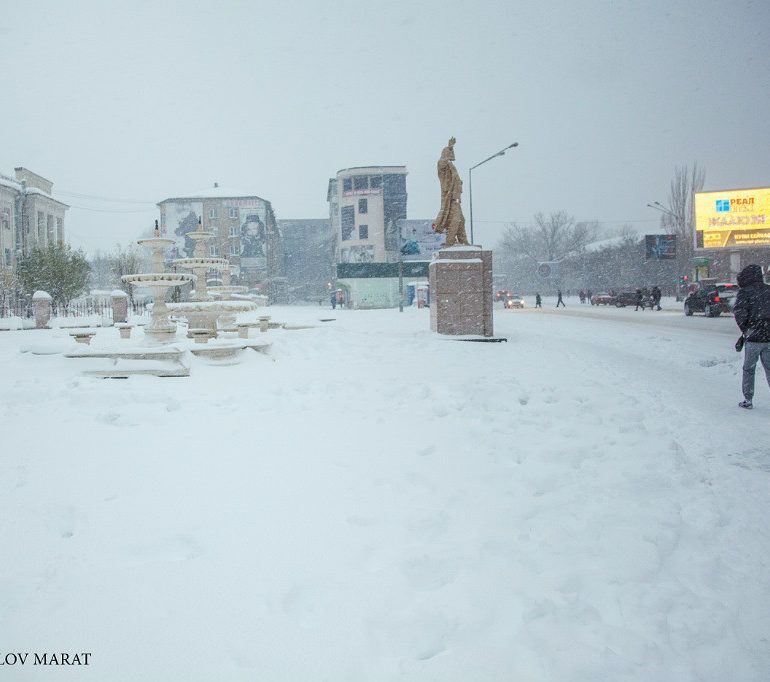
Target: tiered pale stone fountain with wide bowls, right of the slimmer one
{"points": [[201, 312]]}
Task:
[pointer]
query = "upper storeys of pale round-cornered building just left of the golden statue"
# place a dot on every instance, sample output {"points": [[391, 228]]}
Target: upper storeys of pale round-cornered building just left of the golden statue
{"points": [[365, 205]]}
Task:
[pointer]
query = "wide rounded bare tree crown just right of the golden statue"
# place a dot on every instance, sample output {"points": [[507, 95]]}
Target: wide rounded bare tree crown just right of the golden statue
{"points": [[548, 238]]}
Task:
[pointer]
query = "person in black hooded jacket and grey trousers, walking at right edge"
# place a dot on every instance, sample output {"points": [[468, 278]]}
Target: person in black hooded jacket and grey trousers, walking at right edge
{"points": [[752, 315]]}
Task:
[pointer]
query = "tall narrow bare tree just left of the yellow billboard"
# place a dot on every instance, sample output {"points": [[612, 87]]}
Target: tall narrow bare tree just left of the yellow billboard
{"points": [[679, 216]]}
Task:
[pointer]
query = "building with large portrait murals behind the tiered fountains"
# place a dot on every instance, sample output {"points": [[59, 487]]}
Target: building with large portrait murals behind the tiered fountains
{"points": [[245, 232]]}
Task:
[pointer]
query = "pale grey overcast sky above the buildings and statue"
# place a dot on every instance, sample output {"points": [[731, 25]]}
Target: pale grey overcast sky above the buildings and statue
{"points": [[140, 101]]}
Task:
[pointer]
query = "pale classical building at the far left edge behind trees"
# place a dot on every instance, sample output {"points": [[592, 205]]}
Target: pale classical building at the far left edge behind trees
{"points": [[29, 216]]}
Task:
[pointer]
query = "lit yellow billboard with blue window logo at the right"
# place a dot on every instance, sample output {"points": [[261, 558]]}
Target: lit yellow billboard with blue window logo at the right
{"points": [[733, 217]]}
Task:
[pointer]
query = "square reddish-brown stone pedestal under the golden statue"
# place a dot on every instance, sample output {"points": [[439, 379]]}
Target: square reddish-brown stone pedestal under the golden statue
{"points": [[461, 291]]}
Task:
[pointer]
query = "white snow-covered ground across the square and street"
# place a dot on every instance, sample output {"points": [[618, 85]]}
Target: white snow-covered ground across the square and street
{"points": [[373, 502]]}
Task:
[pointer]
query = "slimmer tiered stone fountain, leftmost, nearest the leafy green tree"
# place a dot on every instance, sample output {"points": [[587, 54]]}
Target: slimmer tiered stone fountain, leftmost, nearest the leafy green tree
{"points": [[161, 329]]}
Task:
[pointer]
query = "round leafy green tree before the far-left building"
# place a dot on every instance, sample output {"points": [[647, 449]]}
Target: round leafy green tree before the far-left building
{"points": [[57, 269]]}
